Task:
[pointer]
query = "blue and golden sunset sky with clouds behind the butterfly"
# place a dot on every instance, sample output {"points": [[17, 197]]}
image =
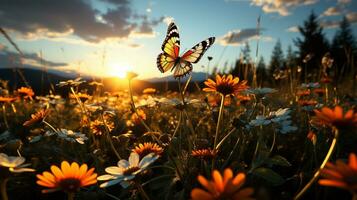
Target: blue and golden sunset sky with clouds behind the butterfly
{"points": [[109, 37]]}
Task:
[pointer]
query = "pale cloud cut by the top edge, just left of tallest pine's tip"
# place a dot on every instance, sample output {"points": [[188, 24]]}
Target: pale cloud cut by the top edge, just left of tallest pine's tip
{"points": [[282, 7]]}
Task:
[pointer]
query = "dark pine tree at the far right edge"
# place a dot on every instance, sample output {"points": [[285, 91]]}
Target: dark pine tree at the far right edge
{"points": [[344, 49]]}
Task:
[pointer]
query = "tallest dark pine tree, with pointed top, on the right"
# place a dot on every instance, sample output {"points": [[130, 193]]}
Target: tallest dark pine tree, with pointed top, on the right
{"points": [[312, 43]]}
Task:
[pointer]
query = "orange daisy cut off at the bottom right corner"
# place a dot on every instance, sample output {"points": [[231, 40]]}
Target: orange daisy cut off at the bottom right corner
{"points": [[341, 175]]}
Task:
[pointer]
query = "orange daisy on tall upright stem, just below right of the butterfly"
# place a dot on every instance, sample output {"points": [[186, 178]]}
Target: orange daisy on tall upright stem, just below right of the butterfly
{"points": [[225, 85]]}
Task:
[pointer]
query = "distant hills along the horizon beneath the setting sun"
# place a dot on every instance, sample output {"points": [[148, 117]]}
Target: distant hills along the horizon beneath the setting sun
{"points": [[41, 81]]}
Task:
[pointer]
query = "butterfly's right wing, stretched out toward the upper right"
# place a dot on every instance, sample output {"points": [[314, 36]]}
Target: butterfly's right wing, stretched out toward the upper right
{"points": [[195, 53]]}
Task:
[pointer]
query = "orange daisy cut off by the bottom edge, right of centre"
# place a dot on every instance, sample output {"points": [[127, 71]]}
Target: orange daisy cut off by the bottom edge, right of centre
{"points": [[226, 187]]}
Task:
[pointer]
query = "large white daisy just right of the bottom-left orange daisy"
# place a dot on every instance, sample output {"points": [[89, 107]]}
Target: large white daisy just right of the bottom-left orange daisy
{"points": [[126, 170]]}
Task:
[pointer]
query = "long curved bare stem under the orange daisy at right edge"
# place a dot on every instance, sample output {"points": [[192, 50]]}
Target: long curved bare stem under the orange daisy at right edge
{"points": [[318, 172]]}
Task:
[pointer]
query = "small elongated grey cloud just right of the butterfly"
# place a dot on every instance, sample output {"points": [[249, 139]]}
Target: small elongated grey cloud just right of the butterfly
{"points": [[239, 37]]}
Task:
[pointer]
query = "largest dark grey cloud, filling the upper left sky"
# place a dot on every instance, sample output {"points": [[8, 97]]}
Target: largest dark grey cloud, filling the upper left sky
{"points": [[77, 17]]}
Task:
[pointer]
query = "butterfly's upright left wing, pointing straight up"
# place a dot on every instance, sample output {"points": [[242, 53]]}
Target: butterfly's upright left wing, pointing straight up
{"points": [[170, 48]]}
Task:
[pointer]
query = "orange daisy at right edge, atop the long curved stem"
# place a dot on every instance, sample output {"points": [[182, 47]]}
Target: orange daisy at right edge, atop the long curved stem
{"points": [[335, 117]]}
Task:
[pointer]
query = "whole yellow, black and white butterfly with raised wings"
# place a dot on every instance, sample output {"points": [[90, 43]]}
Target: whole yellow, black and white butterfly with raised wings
{"points": [[170, 58]]}
